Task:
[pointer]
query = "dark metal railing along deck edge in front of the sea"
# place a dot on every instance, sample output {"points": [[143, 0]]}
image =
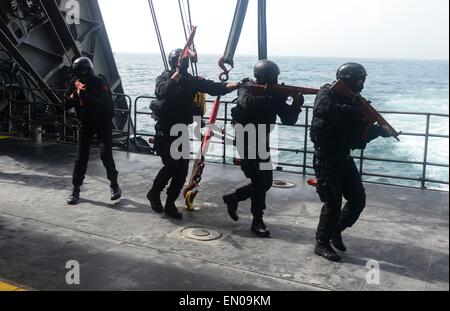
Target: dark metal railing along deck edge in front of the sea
{"points": [[306, 149]]}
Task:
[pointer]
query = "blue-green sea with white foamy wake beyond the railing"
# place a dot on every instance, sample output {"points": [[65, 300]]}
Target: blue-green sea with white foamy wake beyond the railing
{"points": [[418, 86]]}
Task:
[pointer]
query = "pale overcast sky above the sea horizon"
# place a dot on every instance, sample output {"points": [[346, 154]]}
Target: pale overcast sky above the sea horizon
{"points": [[409, 29]]}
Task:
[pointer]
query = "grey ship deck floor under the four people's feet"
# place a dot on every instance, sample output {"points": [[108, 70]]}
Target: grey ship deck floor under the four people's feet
{"points": [[125, 246]]}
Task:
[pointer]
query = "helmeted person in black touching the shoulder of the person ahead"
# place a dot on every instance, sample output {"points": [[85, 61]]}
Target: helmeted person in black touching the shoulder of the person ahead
{"points": [[175, 92]]}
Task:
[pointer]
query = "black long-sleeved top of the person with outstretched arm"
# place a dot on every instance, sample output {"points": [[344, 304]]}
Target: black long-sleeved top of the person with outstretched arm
{"points": [[178, 97]]}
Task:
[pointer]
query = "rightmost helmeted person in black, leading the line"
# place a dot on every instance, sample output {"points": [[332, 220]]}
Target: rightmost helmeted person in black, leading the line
{"points": [[336, 129]]}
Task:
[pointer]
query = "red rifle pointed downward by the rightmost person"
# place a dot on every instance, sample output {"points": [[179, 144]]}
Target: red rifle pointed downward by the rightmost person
{"points": [[369, 112]]}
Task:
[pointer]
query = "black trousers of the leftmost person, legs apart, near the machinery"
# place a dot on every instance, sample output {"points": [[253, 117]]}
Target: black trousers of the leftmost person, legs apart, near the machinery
{"points": [[85, 135]]}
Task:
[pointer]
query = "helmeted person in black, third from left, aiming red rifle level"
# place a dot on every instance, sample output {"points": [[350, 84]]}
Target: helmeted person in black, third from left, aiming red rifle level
{"points": [[259, 112]]}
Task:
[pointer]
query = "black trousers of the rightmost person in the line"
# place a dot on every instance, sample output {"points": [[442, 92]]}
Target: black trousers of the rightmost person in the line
{"points": [[338, 178]]}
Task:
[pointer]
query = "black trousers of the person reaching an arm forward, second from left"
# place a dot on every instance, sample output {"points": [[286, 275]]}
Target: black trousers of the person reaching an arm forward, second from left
{"points": [[173, 170]]}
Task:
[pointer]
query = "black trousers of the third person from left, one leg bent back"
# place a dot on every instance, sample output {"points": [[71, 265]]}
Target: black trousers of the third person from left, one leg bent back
{"points": [[261, 182]]}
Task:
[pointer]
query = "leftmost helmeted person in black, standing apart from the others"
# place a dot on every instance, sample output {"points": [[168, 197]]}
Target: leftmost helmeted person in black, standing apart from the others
{"points": [[91, 97]]}
